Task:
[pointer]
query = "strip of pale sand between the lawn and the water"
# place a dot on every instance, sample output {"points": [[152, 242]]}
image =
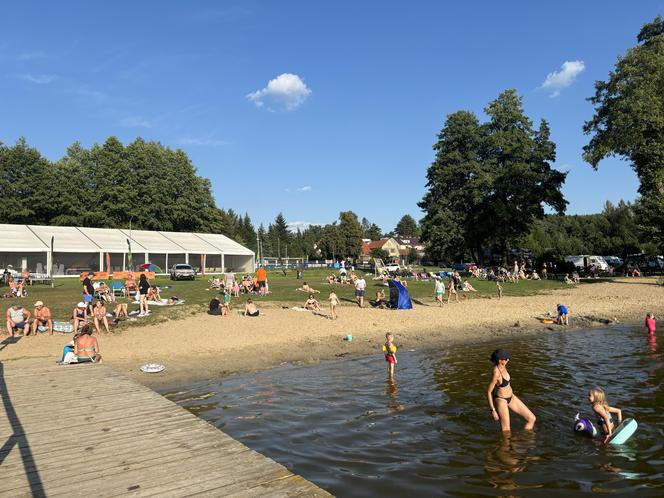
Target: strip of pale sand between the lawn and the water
{"points": [[204, 346]]}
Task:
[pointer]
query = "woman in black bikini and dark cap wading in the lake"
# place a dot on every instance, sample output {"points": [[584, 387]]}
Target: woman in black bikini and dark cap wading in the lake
{"points": [[500, 395]]}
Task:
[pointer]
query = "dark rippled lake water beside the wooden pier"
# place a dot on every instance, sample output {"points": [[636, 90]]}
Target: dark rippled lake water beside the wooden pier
{"points": [[345, 427]]}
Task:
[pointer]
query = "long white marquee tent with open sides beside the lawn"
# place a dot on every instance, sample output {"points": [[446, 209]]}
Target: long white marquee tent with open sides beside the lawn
{"points": [[77, 249]]}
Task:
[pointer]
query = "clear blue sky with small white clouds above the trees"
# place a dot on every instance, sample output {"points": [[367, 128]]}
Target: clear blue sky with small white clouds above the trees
{"points": [[311, 108]]}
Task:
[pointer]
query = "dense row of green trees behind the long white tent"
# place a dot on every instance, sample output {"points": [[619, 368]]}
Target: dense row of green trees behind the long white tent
{"points": [[109, 186]]}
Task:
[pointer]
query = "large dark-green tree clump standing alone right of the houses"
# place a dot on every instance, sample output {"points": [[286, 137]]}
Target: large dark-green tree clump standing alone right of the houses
{"points": [[488, 182]]}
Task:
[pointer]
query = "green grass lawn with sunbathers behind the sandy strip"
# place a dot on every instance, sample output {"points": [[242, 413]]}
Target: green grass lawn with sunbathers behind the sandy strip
{"points": [[67, 292]]}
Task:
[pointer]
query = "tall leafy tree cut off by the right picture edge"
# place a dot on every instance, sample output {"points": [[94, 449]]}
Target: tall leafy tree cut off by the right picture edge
{"points": [[629, 122]]}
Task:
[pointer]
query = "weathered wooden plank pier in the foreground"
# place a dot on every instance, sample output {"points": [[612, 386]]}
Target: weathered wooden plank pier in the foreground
{"points": [[86, 430]]}
